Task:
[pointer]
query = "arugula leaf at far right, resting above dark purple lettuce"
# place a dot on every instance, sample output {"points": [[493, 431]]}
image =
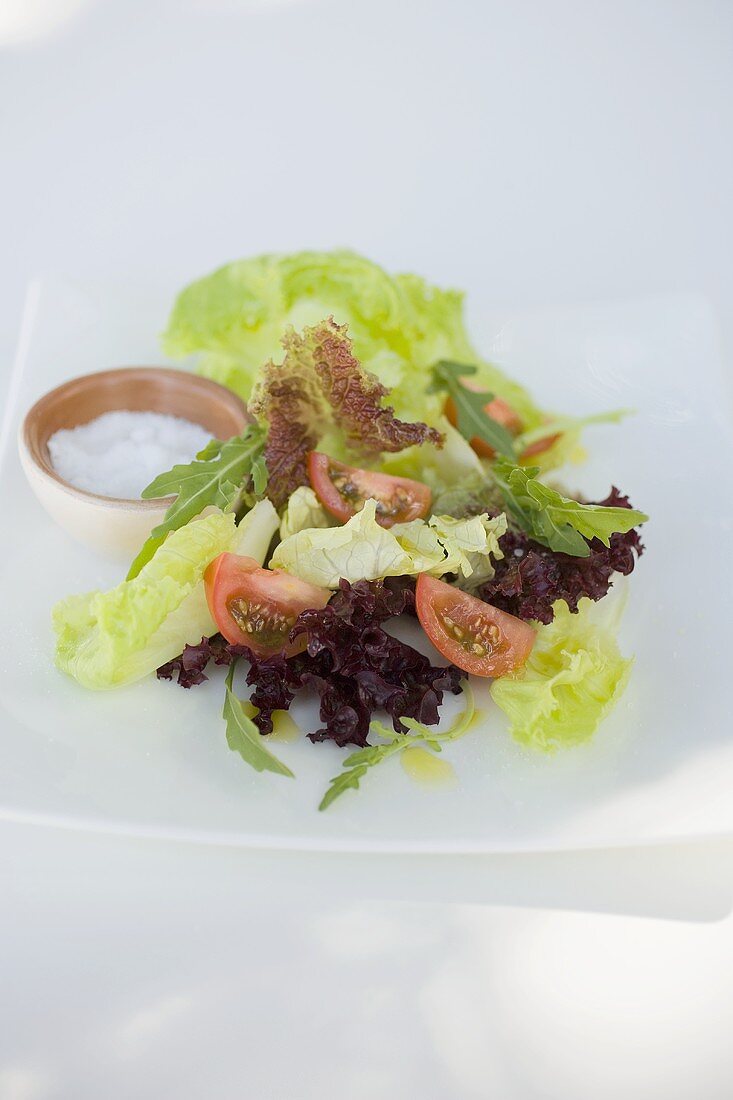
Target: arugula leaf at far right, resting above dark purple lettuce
{"points": [[556, 521]]}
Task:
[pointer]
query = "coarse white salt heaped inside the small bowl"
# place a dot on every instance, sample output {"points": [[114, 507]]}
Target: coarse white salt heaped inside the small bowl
{"points": [[119, 454]]}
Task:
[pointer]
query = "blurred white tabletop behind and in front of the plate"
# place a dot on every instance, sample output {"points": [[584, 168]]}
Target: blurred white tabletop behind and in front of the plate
{"points": [[535, 153]]}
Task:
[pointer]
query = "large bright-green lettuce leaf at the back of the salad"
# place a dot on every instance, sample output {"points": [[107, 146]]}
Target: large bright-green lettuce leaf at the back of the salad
{"points": [[234, 320]]}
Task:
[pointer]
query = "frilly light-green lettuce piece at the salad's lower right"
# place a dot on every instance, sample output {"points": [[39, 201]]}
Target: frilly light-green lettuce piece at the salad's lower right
{"points": [[574, 678]]}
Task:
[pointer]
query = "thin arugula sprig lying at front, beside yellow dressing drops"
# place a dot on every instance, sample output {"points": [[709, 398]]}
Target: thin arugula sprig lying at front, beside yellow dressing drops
{"points": [[358, 764]]}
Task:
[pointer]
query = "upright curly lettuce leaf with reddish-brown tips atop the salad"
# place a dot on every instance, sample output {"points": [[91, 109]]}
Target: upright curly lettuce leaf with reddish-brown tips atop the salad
{"points": [[319, 388]]}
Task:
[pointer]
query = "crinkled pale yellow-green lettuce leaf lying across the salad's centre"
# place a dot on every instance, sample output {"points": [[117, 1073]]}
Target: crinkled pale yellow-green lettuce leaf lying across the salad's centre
{"points": [[363, 551]]}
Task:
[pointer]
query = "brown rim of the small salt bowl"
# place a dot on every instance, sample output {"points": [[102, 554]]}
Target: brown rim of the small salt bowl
{"points": [[40, 460]]}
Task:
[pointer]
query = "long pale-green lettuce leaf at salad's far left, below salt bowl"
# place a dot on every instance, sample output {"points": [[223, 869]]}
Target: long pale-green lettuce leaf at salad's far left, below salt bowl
{"points": [[105, 640]]}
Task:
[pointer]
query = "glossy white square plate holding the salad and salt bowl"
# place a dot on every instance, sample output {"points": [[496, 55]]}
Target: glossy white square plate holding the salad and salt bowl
{"points": [[152, 760]]}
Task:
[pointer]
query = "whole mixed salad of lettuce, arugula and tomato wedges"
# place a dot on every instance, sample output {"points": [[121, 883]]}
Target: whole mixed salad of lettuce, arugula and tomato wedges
{"points": [[388, 471]]}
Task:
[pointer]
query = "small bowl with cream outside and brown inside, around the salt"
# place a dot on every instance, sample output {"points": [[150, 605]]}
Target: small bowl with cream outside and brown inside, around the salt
{"points": [[115, 526]]}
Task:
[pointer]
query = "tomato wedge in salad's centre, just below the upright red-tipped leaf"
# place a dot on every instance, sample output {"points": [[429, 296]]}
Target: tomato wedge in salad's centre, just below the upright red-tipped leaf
{"points": [[343, 491]]}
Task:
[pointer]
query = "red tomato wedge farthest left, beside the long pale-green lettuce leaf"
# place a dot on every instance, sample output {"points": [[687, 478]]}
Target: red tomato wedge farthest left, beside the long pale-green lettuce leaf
{"points": [[257, 608]]}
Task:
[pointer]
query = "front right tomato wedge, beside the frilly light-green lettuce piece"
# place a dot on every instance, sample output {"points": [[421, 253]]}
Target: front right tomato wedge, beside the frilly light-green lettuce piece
{"points": [[473, 635]]}
